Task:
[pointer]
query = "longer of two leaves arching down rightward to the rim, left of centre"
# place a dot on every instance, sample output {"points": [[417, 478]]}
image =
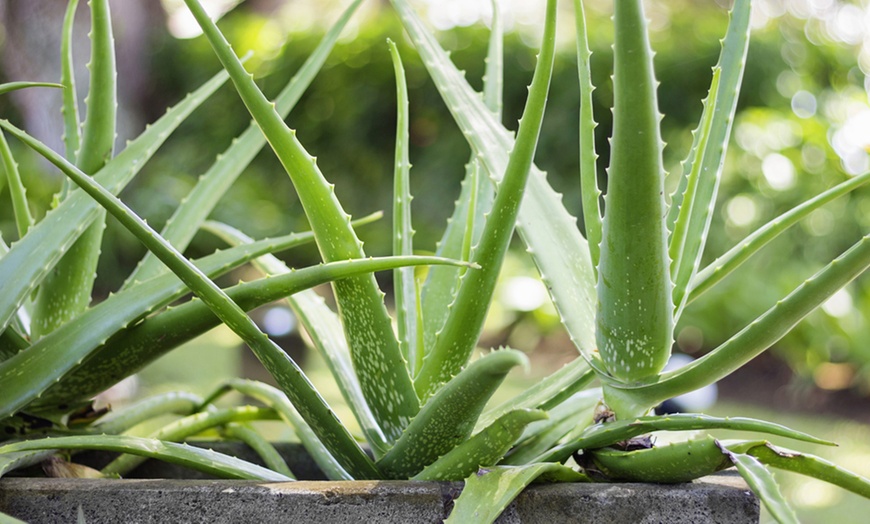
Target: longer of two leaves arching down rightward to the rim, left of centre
{"points": [[278, 401]]}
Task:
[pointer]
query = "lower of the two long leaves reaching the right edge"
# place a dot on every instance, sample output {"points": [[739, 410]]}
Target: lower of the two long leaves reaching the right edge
{"points": [[752, 340]]}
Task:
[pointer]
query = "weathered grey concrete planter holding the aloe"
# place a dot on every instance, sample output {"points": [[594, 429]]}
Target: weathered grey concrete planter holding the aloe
{"points": [[720, 498]]}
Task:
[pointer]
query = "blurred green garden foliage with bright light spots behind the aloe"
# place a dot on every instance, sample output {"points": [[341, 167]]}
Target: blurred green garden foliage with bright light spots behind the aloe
{"points": [[796, 94]]}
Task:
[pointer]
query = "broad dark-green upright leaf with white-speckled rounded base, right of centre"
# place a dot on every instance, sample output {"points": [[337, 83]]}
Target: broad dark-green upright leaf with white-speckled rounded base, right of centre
{"points": [[635, 311]]}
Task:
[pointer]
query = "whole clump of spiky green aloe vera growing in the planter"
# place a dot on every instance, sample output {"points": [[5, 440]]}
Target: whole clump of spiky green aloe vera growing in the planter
{"points": [[418, 397]]}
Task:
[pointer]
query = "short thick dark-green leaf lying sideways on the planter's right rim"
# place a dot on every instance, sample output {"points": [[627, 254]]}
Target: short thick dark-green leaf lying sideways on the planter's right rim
{"points": [[672, 463]]}
